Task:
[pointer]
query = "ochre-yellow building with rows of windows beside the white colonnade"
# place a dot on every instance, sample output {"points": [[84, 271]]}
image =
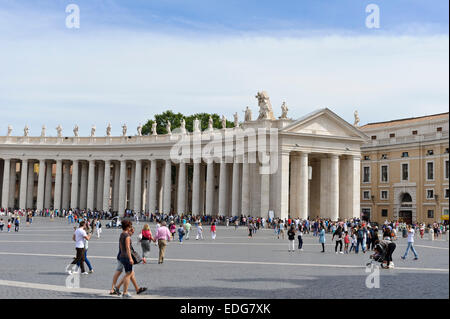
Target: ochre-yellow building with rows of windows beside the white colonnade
{"points": [[405, 170]]}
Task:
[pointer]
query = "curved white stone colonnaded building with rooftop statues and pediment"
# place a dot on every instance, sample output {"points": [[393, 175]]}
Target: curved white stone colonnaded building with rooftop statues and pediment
{"points": [[299, 168]]}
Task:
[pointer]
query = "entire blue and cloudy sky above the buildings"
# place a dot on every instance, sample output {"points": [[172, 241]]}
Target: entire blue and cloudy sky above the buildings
{"points": [[130, 60]]}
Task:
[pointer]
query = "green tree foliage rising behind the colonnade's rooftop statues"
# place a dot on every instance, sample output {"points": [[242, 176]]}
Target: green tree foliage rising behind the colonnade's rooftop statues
{"points": [[175, 121]]}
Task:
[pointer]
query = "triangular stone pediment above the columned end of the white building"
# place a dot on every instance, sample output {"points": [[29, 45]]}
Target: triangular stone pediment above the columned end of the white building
{"points": [[326, 123]]}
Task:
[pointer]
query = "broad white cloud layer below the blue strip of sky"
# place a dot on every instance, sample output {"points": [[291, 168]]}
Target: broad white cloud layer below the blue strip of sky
{"points": [[85, 78]]}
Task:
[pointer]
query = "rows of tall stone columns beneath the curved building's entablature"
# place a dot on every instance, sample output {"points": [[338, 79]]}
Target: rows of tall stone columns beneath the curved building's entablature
{"points": [[304, 184]]}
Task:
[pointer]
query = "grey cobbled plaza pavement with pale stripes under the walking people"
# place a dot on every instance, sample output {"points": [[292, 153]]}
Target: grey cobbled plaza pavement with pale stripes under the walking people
{"points": [[232, 266]]}
